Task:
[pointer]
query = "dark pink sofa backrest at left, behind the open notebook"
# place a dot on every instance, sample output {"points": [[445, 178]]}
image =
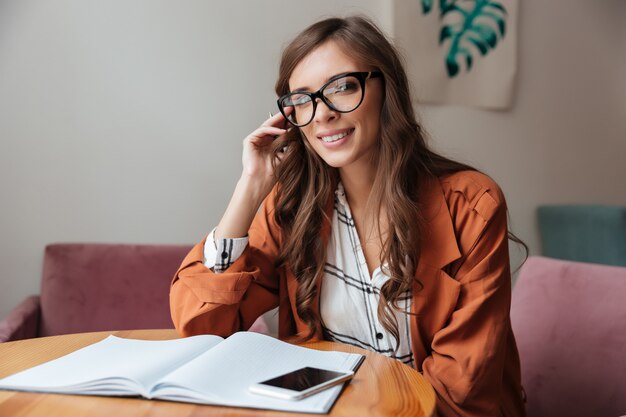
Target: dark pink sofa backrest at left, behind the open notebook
{"points": [[92, 287]]}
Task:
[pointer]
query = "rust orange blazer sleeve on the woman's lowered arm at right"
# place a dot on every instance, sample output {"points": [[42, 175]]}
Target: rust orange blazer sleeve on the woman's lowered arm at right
{"points": [[468, 355]]}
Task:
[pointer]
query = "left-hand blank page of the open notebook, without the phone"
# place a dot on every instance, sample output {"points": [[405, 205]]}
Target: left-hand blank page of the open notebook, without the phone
{"points": [[107, 366]]}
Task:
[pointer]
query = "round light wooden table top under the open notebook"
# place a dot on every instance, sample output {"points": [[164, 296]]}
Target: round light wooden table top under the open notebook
{"points": [[381, 387]]}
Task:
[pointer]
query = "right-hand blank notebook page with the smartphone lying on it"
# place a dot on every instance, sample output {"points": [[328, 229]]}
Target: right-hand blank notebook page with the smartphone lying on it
{"points": [[223, 375]]}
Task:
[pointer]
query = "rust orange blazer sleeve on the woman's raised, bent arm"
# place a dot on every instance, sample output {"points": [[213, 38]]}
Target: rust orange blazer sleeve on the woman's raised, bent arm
{"points": [[205, 302]]}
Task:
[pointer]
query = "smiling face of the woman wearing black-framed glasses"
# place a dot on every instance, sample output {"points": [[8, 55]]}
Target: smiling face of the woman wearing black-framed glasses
{"points": [[342, 140]]}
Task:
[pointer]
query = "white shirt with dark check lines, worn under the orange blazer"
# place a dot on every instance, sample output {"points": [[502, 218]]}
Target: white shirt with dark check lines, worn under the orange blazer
{"points": [[349, 296]]}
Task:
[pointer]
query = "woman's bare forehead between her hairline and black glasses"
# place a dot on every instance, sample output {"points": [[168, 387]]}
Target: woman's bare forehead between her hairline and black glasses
{"points": [[322, 63]]}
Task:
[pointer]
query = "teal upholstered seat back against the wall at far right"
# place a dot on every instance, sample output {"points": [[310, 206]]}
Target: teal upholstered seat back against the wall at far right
{"points": [[585, 233]]}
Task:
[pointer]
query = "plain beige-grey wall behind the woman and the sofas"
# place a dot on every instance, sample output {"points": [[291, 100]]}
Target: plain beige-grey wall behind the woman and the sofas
{"points": [[122, 121]]}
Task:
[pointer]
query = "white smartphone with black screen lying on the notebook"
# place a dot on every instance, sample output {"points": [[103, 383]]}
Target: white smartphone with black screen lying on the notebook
{"points": [[300, 383]]}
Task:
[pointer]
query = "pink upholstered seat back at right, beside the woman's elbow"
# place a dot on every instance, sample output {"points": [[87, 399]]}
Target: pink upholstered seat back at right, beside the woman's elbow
{"points": [[569, 320]]}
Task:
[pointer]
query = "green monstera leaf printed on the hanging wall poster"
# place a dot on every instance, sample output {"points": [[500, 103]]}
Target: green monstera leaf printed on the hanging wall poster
{"points": [[477, 27]]}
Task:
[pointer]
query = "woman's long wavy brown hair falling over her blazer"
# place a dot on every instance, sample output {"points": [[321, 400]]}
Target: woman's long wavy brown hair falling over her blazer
{"points": [[306, 182]]}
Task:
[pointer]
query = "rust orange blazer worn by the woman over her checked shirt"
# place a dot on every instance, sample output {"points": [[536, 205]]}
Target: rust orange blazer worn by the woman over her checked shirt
{"points": [[461, 331]]}
